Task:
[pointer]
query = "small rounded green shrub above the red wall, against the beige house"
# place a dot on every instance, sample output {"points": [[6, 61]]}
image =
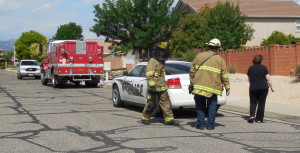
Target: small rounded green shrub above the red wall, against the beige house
{"points": [[276, 37]]}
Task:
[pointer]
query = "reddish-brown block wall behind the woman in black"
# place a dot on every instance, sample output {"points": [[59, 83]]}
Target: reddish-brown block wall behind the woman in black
{"points": [[278, 59]]}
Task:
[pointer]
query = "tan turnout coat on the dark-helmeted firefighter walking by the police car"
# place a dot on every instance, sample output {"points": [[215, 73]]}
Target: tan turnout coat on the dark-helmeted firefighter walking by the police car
{"points": [[155, 75]]}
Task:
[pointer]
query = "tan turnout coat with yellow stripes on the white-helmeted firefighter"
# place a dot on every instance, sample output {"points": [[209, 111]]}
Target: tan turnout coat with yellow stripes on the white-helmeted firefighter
{"points": [[209, 78]]}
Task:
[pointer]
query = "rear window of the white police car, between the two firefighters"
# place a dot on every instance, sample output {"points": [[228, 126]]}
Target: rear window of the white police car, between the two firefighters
{"points": [[178, 68]]}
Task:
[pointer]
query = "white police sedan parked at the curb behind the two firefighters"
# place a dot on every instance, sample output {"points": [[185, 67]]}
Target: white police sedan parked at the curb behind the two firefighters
{"points": [[132, 87]]}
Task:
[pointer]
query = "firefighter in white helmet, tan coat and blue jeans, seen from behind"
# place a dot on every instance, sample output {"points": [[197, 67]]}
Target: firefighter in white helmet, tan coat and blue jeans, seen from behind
{"points": [[208, 76]]}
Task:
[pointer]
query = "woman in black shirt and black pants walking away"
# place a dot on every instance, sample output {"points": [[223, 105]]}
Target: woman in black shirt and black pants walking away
{"points": [[259, 79]]}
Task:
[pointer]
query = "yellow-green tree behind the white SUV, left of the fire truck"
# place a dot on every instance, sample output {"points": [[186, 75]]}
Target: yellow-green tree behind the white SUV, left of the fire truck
{"points": [[23, 43]]}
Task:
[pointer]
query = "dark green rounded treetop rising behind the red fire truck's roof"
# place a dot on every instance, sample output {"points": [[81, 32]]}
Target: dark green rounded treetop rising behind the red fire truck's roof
{"points": [[69, 31]]}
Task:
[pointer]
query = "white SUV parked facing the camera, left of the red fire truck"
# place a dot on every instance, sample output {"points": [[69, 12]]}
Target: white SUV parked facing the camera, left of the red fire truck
{"points": [[29, 68]]}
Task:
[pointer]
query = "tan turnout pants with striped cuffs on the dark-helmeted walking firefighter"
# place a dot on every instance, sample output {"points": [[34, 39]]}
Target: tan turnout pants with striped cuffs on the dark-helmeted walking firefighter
{"points": [[161, 98]]}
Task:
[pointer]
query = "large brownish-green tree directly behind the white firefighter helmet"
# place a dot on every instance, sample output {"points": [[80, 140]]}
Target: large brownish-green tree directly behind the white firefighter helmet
{"points": [[224, 21]]}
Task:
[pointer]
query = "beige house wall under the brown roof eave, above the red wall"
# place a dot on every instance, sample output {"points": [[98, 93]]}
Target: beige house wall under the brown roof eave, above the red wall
{"points": [[264, 27]]}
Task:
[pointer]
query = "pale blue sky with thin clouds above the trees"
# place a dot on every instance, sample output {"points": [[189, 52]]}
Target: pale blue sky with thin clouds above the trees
{"points": [[45, 16]]}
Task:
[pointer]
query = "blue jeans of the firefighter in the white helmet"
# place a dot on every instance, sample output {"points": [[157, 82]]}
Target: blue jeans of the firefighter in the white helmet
{"points": [[201, 103]]}
